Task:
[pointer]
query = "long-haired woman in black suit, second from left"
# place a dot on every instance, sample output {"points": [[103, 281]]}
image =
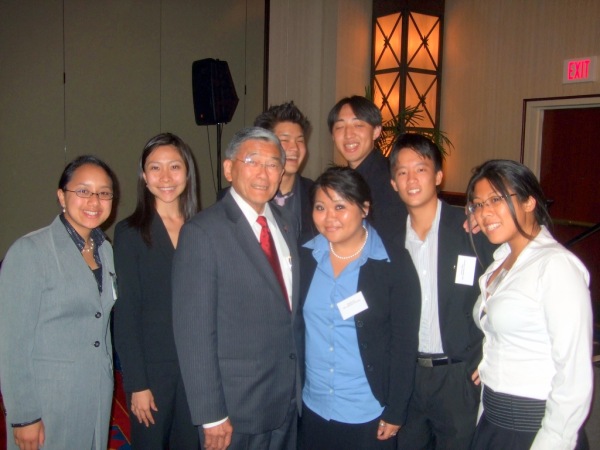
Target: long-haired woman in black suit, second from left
{"points": [[145, 243]]}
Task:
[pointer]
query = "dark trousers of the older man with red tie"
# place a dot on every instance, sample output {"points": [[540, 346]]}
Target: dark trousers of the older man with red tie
{"points": [[283, 438]]}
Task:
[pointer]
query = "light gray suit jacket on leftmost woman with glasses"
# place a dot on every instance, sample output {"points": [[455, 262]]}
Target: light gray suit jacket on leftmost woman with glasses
{"points": [[55, 343]]}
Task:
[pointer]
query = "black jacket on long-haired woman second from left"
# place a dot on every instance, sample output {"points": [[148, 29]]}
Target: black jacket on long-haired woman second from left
{"points": [[143, 314]]}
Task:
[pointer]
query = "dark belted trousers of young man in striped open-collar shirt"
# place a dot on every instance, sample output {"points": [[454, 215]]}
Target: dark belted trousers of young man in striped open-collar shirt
{"points": [[442, 413]]}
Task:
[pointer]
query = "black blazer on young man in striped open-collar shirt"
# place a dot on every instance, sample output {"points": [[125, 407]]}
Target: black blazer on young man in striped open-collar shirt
{"points": [[460, 336]]}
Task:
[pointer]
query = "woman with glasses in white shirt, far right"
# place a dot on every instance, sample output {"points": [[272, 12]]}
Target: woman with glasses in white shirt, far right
{"points": [[535, 312]]}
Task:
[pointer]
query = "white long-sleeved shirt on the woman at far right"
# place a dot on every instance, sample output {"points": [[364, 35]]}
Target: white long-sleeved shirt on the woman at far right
{"points": [[538, 335]]}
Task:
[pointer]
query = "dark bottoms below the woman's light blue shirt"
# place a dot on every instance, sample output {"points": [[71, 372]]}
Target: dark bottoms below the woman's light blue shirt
{"points": [[317, 433]]}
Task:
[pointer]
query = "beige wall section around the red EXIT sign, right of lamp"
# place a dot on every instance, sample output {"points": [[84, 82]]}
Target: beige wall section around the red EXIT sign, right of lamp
{"points": [[496, 54]]}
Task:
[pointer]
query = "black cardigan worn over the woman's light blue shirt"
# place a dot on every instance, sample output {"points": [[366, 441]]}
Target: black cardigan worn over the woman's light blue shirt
{"points": [[388, 331]]}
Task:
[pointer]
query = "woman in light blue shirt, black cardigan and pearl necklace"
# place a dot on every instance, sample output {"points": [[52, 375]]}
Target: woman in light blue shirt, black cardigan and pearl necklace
{"points": [[361, 310]]}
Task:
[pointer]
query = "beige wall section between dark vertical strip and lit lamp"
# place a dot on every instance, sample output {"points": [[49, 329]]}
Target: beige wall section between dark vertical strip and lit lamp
{"points": [[319, 52]]}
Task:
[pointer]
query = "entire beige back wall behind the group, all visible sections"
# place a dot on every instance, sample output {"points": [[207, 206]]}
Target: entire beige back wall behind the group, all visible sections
{"points": [[128, 68]]}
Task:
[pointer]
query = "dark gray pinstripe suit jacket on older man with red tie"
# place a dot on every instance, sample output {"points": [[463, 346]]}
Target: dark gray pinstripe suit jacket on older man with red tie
{"points": [[239, 346]]}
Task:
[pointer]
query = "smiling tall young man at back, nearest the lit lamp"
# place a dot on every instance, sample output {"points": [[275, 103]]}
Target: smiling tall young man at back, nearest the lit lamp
{"points": [[355, 124]]}
